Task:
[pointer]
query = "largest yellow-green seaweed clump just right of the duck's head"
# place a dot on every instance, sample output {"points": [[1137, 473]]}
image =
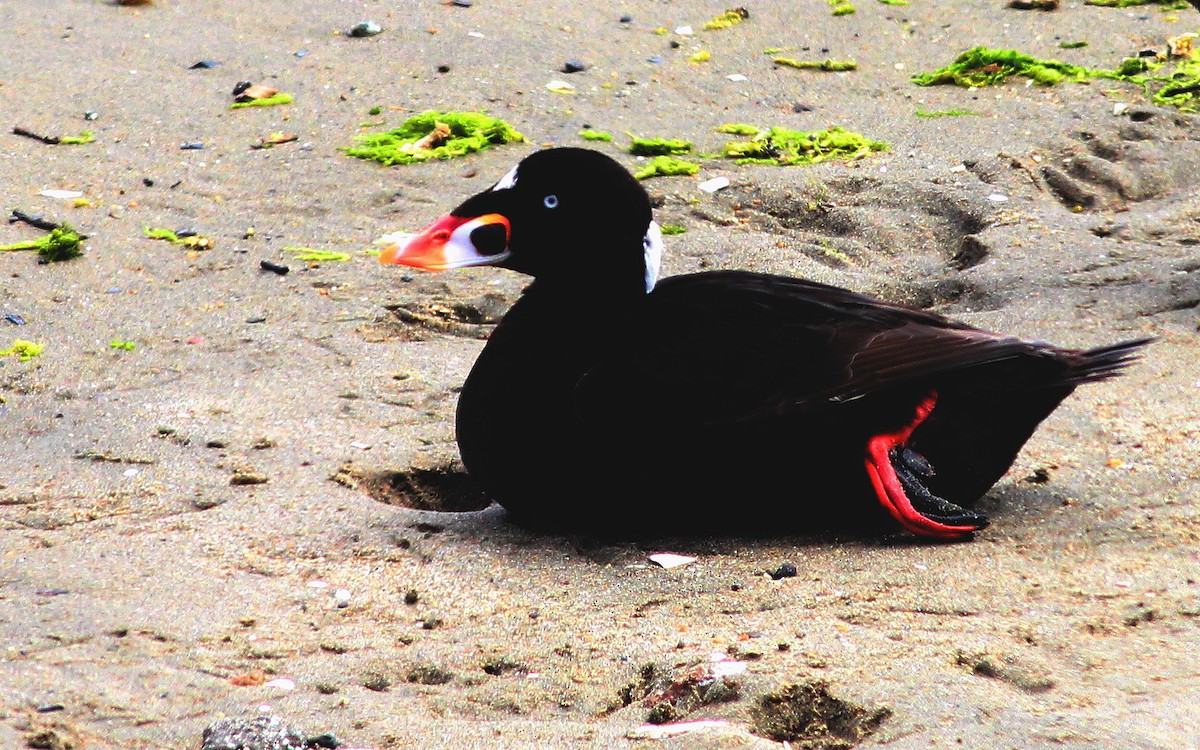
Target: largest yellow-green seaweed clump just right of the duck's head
{"points": [[787, 148]]}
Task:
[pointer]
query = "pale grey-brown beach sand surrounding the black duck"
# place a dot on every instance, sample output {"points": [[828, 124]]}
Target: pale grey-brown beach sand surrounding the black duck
{"points": [[139, 585]]}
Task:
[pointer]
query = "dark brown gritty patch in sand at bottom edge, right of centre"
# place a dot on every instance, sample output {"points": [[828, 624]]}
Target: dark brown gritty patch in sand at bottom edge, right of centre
{"points": [[809, 717]]}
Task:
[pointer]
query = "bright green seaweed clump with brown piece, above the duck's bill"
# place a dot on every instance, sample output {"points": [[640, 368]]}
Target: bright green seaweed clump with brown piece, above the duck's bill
{"points": [[435, 135]]}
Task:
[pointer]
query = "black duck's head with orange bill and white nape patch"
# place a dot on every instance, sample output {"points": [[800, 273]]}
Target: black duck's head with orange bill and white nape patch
{"points": [[569, 217]]}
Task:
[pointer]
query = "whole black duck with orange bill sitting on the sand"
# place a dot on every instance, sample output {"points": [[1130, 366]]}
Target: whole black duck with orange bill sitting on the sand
{"points": [[609, 401]]}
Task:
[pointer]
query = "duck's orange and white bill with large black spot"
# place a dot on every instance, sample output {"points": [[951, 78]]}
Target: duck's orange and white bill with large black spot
{"points": [[454, 242]]}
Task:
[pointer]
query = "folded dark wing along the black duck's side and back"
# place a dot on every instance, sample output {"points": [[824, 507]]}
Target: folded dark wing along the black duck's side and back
{"points": [[734, 346]]}
